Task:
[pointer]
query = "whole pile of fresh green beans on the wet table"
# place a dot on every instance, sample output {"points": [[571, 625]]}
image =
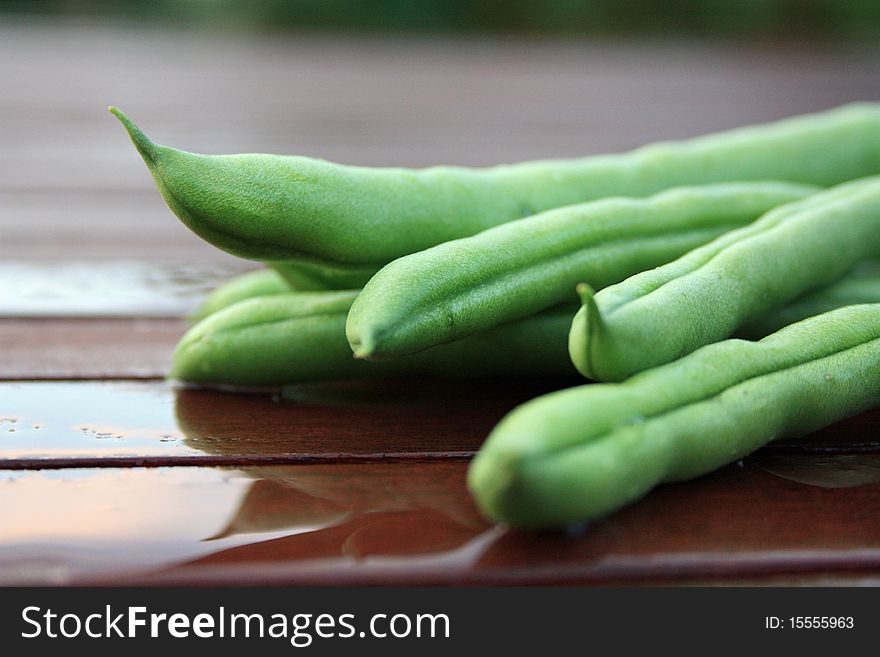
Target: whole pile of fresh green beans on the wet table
{"points": [[766, 233]]}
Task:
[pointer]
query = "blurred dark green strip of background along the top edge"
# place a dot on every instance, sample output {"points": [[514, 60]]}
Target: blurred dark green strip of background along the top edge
{"points": [[768, 19]]}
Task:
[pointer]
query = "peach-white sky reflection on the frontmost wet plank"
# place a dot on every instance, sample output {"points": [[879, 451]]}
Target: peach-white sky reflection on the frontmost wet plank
{"points": [[56, 524]]}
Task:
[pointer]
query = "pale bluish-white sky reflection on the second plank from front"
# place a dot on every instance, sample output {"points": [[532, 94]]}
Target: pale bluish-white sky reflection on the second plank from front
{"points": [[54, 419]]}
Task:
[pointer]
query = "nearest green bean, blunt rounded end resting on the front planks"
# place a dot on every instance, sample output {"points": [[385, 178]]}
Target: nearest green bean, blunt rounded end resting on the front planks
{"points": [[581, 453]]}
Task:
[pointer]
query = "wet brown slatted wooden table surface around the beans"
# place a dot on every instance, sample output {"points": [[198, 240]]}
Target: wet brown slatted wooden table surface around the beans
{"points": [[110, 474]]}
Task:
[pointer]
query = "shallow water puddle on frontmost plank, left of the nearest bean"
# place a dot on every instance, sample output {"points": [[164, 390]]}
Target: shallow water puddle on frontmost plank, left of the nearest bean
{"points": [[57, 526]]}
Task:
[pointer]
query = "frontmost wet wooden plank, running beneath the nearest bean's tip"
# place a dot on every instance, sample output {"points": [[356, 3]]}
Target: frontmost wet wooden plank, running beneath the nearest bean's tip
{"points": [[415, 524]]}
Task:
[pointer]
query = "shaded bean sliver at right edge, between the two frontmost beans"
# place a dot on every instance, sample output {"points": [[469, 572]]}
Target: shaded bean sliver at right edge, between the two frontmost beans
{"points": [[860, 286]]}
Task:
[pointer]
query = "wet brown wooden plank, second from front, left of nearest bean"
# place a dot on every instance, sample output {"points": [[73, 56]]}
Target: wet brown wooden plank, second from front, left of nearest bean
{"points": [[82, 424]]}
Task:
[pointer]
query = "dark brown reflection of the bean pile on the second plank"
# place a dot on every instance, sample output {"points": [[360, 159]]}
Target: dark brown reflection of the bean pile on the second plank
{"points": [[383, 416]]}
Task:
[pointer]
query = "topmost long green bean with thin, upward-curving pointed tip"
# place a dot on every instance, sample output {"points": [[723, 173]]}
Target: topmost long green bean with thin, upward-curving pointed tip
{"points": [[268, 207]]}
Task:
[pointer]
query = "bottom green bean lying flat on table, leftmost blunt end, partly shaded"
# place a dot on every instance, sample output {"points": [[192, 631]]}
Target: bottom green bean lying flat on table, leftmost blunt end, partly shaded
{"points": [[299, 337]]}
